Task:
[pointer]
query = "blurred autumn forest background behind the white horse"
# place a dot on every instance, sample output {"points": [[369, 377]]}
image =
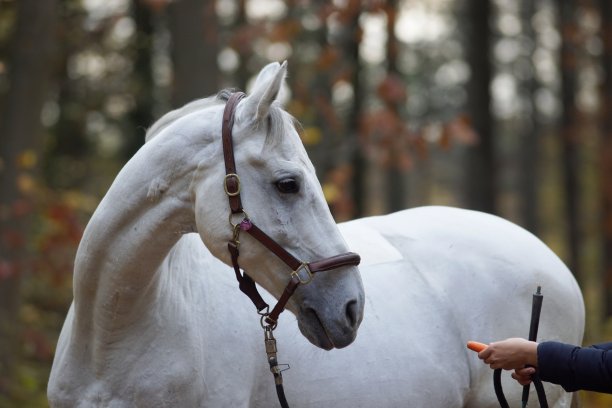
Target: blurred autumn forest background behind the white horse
{"points": [[503, 106]]}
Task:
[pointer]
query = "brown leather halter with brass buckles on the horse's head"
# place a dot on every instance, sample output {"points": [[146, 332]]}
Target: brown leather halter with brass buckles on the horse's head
{"points": [[302, 271]]}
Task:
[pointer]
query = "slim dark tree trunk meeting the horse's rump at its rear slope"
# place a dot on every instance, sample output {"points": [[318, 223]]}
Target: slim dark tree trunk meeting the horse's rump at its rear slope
{"points": [[569, 134]]}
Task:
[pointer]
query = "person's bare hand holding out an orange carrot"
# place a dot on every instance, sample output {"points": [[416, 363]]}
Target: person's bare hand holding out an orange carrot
{"points": [[510, 354]]}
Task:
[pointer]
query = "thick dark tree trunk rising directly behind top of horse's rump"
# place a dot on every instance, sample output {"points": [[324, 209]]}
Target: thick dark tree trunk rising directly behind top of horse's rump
{"points": [[481, 170]]}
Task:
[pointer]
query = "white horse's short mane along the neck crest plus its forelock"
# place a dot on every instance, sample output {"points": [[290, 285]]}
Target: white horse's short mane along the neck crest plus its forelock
{"points": [[279, 121]]}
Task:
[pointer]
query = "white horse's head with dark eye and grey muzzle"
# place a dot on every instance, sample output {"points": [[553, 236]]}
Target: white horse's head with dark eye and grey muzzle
{"points": [[280, 192]]}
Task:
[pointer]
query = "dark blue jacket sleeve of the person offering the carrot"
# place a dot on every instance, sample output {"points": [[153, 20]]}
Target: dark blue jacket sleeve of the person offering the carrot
{"points": [[576, 368]]}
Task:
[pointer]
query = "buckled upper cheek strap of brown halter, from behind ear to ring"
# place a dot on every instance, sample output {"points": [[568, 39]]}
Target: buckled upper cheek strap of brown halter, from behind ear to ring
{"points": [[232, 181]]}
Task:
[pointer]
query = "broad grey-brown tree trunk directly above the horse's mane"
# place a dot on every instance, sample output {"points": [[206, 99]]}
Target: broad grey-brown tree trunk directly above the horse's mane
{"points": [[193, 29]]}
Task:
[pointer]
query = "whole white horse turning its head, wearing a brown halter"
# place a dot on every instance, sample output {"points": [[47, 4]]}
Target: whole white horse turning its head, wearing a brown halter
{"points": [[184, 336]]}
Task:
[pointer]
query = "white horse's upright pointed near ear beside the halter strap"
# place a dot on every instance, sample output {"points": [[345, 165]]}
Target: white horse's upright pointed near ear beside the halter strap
{"points": [[265, 91]]}
